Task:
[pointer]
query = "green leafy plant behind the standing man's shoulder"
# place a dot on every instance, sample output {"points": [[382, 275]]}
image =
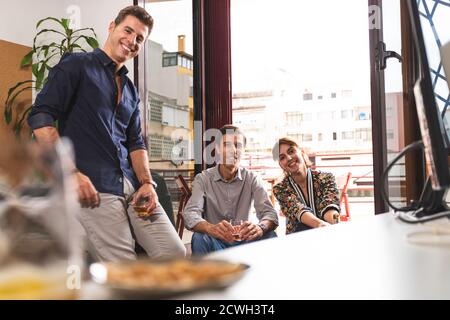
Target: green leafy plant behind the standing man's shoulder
{"points": [[42, 57]]}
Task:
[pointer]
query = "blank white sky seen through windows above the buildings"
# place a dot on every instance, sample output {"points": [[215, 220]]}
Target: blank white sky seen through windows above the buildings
{"points": [[320, 43]]}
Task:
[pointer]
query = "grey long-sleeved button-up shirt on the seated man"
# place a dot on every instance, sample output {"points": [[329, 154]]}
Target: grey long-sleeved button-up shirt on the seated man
{"points": [[213, 199]]}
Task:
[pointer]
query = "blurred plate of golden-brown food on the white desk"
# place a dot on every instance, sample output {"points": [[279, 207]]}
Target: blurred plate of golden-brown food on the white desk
{"points": [[164, 279]]}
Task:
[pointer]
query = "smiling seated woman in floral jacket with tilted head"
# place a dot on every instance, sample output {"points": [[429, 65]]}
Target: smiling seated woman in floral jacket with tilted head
{"points": [[308, 198]]}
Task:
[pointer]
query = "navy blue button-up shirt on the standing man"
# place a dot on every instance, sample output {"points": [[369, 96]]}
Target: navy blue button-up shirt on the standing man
{"points": [[81, 93]]}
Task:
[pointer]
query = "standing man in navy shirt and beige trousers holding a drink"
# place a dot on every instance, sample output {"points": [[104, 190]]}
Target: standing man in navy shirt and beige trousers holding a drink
{"points": [[97, 107]]}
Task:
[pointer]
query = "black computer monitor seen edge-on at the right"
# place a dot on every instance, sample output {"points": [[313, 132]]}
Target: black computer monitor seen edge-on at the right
{"points": [[434, 135]]}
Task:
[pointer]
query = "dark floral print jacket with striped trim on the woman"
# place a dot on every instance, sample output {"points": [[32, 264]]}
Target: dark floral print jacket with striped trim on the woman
{"points": [[325, 194]]}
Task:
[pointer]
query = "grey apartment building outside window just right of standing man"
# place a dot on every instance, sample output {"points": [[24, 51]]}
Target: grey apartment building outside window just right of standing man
{"points": [[170, 109]]}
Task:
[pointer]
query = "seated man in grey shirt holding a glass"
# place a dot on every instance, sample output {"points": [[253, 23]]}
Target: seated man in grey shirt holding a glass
{"points": [[225, 192]]}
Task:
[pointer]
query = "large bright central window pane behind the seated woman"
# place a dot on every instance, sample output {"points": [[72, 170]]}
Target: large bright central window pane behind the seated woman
{"points": [[314, 100]]}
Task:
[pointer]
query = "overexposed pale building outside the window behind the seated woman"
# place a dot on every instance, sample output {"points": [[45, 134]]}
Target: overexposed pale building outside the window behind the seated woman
{"points": [[331, 125]]}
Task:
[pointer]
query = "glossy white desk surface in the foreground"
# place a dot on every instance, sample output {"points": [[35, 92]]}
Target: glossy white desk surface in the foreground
{"points": [[368, 259]]}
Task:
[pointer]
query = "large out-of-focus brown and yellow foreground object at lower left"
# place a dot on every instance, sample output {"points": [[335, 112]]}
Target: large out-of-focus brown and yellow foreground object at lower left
{"points": [[39, 236]]}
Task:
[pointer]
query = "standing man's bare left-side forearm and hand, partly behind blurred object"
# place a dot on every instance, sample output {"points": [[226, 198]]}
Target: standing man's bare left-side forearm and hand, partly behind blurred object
{"points": [[87, 194]]}
